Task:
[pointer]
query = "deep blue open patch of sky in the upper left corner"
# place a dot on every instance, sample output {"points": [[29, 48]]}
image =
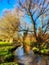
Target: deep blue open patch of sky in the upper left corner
{"points": [[4, 4]]}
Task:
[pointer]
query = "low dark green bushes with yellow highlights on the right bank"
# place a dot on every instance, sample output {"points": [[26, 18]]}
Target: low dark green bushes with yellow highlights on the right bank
{"points": [[42, 48]]}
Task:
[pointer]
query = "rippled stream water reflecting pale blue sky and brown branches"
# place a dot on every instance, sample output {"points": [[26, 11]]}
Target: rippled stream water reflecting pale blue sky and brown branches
{"points": [[31, 58]]}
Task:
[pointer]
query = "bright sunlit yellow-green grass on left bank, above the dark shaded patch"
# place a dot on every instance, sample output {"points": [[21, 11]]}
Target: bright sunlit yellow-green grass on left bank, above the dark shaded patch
{"points": [[4, 48]]}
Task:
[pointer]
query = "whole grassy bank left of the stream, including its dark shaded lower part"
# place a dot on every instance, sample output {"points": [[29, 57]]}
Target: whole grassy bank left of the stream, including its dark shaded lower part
{"points": [[5, 53]]}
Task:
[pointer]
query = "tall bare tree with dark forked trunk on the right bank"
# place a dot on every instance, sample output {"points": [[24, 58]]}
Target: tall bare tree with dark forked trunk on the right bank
{"points": [[35, 9]]}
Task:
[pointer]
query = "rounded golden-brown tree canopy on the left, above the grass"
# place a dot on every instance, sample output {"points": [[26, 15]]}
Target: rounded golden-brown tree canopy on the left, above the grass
{"points": [[9, 25]]}
